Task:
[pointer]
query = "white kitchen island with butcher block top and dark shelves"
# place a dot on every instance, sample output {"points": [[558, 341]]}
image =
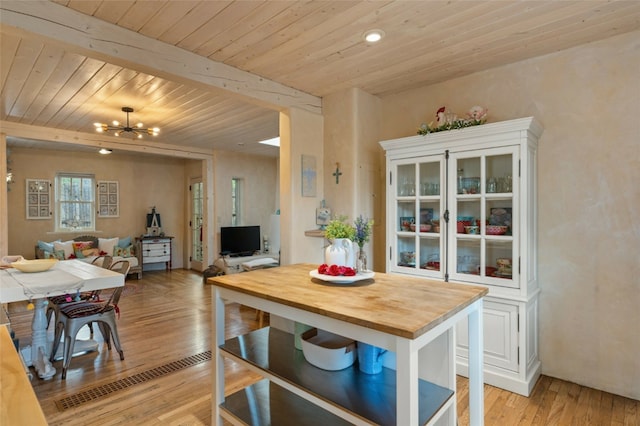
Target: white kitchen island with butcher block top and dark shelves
{"points": [[413, 318]]}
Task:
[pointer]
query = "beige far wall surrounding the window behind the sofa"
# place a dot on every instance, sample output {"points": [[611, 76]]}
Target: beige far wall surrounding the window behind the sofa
{"points": [[145, 181]]}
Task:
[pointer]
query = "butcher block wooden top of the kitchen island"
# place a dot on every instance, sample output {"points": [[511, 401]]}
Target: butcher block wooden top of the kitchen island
{"points": [[395, 304]]}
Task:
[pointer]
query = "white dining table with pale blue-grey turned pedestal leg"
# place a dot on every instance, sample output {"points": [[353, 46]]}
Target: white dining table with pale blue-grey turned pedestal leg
{"points": [[65, 277]]}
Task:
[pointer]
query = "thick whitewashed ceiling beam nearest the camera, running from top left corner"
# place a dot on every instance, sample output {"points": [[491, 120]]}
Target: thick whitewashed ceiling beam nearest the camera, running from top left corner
{"points": [[89, 36]]}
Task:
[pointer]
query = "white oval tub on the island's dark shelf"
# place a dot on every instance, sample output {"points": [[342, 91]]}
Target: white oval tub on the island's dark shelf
{"points": [[328, 351]]}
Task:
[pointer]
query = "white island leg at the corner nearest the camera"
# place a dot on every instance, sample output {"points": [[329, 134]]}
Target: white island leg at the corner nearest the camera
{"points": [[406, 384]]}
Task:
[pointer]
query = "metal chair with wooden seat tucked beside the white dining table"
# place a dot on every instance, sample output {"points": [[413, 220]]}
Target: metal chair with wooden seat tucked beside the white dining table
{"points": [[73, 316]]}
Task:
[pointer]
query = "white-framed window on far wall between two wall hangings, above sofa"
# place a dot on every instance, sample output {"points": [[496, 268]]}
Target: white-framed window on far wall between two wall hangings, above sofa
{"points": [[75, 202]]}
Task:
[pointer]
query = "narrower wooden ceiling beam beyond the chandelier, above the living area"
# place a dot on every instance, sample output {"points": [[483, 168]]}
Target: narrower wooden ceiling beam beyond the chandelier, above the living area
{"points": [[97, 140]]}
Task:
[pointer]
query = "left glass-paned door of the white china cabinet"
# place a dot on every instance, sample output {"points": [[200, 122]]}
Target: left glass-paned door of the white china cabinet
{"points": [[418, 207]]}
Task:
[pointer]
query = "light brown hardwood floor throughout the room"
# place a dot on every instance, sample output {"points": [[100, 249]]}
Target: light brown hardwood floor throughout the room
{"points": [[165, 317]]}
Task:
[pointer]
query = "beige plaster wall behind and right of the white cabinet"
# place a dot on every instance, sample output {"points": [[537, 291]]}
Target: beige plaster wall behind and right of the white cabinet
{"points": [[588, 100]]}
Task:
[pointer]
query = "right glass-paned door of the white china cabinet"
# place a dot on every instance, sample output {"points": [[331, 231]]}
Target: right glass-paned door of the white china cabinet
{"points": [[483, 206]]}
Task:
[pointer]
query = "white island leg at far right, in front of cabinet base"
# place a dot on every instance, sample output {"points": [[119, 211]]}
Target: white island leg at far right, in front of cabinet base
{"points": [[476, 385]]}
